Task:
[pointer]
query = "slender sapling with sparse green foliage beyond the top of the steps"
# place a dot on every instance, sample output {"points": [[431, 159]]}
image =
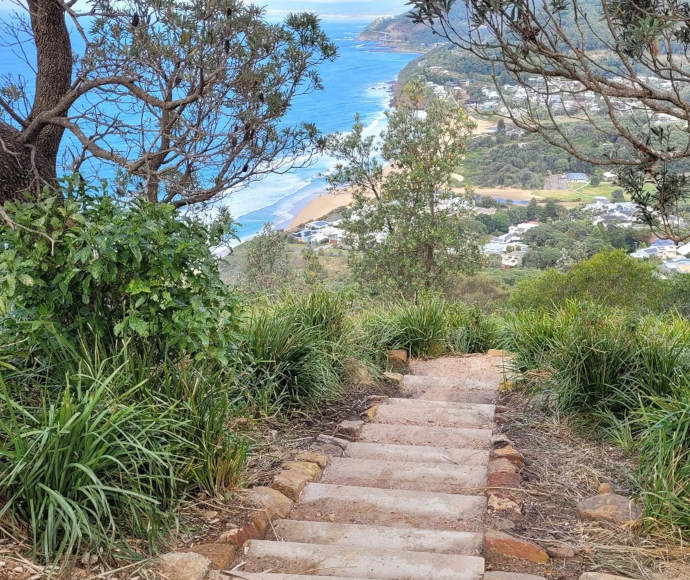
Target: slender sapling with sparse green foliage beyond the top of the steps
{"points": [[406, 227]]}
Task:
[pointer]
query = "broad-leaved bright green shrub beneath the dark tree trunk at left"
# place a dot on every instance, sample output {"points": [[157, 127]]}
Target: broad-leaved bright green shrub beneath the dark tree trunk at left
{"points": [[136, 272]]}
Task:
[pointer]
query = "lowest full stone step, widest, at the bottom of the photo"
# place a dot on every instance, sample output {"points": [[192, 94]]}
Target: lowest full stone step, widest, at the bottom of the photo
{"points": [[360, 563]]}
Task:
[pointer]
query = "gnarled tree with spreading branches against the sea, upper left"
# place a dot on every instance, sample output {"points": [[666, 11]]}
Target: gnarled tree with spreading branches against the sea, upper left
{"points": [[185, 100]]}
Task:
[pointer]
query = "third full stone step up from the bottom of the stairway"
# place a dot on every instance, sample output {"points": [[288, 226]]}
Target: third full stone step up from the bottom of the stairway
{"points": [[389, 507]]}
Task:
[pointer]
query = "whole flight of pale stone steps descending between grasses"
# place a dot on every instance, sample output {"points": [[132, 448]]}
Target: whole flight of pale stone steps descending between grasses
{"points": [[406, 500]]}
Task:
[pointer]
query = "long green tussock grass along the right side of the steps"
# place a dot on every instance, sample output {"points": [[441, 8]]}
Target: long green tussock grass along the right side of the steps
{"points": [[626, 375]]}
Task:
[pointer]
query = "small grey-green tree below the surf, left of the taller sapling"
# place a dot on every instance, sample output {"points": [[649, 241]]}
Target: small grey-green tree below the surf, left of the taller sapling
{"points": [[266, 265]]}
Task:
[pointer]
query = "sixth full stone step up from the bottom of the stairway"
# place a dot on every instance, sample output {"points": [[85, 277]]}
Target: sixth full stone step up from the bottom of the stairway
{"points": [[430, 436]]}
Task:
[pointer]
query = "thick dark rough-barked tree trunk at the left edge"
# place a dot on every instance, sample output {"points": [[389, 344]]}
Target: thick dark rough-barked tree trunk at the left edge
{"points": [[28, 160]]}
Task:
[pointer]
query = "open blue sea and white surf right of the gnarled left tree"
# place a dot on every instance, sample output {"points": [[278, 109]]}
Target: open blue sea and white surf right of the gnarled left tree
{"points": [[358, 81]]}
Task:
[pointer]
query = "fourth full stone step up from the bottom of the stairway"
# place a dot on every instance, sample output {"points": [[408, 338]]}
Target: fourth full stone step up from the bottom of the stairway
{"points": [[447, 478]]}
